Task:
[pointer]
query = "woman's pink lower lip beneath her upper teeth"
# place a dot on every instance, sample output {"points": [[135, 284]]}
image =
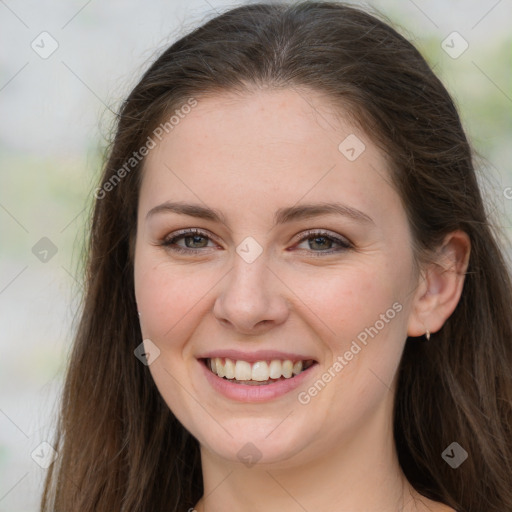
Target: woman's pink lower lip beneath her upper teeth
{"points": [[255, 393]]}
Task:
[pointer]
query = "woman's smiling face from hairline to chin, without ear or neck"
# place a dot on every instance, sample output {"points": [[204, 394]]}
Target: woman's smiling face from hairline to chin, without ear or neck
{"points": [[276, 280]]}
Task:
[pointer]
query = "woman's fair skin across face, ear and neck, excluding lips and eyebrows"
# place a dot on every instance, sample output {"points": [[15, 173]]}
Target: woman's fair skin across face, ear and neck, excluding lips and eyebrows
{"points": [[247, 156]]}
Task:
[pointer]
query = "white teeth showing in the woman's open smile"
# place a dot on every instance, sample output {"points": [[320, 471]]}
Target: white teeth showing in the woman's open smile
{"points": [[260, 373]]}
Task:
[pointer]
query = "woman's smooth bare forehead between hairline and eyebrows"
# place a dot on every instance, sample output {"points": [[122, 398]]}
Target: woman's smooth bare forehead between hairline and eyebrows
{"points": [[265, 148]]}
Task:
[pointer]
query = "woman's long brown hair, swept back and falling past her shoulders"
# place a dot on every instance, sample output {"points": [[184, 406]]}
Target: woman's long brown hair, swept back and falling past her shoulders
{"points": [[120, 447]]}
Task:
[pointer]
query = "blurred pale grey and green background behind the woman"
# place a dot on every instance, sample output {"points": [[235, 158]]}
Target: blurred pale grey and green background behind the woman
{"points": [[64, 66]]}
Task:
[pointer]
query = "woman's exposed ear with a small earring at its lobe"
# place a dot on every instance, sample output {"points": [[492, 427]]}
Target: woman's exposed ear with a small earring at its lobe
{"points": [[440, 285]]}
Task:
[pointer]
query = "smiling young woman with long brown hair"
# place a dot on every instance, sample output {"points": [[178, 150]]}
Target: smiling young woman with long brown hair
{"points": [[294, 297]]}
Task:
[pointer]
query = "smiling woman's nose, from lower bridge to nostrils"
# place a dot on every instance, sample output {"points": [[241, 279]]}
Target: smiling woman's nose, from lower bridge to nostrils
{"points": [[252, 298]]}
